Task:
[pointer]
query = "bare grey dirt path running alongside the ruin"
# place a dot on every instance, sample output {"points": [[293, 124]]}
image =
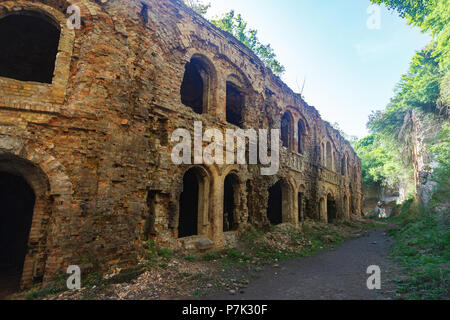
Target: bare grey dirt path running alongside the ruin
{"points": [[338, 274]]}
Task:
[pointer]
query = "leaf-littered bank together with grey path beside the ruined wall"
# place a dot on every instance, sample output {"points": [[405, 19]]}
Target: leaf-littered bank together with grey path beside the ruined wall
{"points": [[266, 266]]}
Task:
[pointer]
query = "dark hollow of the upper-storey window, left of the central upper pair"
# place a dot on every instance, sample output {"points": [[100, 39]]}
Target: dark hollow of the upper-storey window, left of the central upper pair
{"points": [[195, 86]]}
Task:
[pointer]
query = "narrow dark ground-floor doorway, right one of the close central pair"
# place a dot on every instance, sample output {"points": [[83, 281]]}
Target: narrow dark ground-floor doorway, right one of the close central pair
{"points": [[230, 203]]}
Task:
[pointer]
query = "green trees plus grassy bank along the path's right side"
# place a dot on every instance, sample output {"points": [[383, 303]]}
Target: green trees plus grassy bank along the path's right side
{"points": [[422, 236]]}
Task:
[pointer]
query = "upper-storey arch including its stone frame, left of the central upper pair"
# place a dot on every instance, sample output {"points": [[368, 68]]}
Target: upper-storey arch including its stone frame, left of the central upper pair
{"points": [[197, 90]]}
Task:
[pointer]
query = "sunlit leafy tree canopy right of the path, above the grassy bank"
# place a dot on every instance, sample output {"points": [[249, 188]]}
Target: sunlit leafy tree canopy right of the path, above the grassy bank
{"points": [[387, 153]]}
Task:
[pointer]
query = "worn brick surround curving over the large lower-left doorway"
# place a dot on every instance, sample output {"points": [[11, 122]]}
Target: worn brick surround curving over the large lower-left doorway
{"points": [[53, 194]]}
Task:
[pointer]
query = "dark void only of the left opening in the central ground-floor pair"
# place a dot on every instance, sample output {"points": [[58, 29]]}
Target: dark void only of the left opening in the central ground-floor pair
{"points": [[188, 221]]}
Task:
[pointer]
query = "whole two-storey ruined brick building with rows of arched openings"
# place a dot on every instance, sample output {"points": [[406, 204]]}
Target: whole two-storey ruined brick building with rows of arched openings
{"points": [[86, 117]]}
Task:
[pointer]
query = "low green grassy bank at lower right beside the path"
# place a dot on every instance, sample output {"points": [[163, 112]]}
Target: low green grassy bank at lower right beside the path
{"points": [[422, 247]]}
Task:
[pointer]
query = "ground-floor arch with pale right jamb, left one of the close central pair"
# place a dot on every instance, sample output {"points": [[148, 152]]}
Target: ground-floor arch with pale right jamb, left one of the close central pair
{"points": [[194, 196]]}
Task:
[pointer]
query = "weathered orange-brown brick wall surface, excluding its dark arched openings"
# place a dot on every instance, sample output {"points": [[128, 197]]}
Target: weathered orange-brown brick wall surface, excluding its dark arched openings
{"points": [[100, 134]]}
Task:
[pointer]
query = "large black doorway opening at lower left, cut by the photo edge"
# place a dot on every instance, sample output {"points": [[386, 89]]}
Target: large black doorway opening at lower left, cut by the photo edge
{"points": [[17, 203]]}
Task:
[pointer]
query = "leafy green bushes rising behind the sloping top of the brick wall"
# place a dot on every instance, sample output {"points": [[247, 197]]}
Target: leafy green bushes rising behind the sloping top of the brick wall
{"points": [[237, 26]]}
